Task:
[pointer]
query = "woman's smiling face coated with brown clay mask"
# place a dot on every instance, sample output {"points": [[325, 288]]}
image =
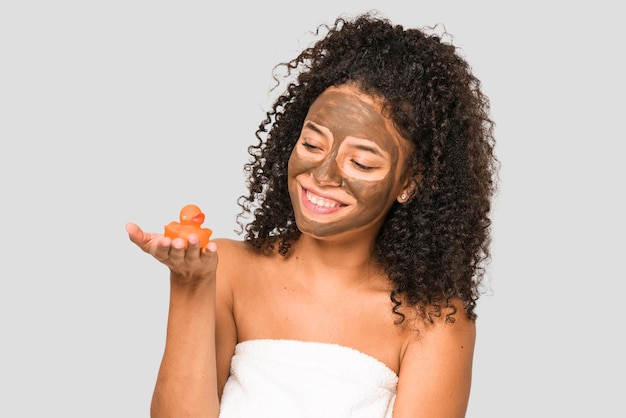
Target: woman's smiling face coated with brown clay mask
{"points": [[348, 166]]}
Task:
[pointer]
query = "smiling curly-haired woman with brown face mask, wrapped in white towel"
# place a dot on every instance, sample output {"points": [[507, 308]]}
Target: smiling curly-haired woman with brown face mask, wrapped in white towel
{"points": [[353, 291]]}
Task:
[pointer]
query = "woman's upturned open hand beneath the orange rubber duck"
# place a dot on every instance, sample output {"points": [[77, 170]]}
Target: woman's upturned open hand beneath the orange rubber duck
{"points": [[187, 265]]}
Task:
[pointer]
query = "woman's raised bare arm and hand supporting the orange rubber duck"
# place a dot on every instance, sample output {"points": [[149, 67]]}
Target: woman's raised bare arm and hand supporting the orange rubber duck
{"points": [[187, 380]]}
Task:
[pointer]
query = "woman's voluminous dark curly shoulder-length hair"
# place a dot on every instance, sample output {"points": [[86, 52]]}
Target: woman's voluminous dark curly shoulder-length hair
{"points": [[433, 248]]}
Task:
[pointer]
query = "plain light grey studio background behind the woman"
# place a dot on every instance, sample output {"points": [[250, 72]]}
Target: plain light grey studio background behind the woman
{"points": [[125, 110]]}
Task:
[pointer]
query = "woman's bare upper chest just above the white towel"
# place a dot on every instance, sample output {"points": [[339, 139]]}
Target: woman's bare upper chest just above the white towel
{"points": [[275, 307]]}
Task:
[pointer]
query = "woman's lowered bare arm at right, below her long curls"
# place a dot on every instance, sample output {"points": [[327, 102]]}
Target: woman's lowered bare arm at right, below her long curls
{"points": [[436, 370]]}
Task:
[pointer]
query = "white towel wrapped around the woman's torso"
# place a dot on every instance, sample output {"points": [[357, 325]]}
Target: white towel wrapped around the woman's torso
{"points": [[296, 379]]}
